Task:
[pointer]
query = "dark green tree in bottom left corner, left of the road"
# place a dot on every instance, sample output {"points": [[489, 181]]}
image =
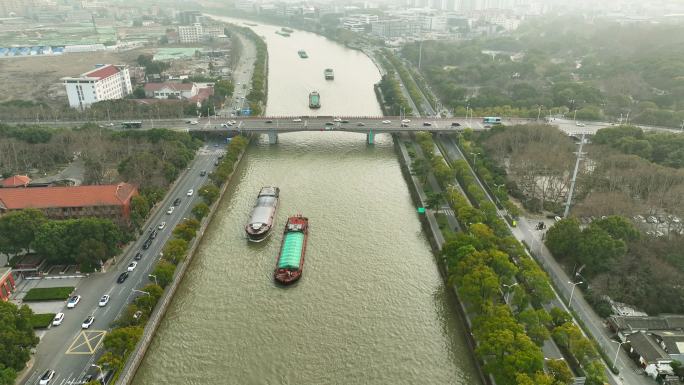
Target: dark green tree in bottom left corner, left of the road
{"points": [[17, 337]]}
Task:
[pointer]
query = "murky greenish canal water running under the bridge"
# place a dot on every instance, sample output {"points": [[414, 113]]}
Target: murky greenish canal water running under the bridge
{"points": [[370, 308]]}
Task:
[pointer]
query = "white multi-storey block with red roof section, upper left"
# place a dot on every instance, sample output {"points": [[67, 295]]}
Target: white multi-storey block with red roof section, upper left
{"points": [[106, 82]]}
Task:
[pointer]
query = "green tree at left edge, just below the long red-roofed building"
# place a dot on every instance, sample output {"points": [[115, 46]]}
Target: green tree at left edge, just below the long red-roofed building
{"points": [[18, 230]]}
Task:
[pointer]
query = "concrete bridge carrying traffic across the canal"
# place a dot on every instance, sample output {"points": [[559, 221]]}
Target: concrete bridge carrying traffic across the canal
{"points": [[272, 126]]}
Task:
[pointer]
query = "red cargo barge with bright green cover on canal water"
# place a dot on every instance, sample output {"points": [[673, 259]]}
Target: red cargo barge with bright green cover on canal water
{"points": [[291, 258]]}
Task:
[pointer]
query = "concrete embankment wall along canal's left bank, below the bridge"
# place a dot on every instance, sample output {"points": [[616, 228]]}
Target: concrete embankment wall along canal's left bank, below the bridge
{"points": [[131, 367]]}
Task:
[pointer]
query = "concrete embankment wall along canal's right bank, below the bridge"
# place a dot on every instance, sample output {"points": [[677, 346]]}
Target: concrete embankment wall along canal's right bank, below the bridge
{"points": [[437, 241]]}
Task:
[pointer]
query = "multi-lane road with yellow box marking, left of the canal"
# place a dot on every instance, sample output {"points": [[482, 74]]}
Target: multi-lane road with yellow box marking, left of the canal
{"points": [[70, 350]]}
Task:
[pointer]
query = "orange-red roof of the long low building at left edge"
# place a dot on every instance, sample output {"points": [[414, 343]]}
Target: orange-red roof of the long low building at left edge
{"points": [[78, 196]]}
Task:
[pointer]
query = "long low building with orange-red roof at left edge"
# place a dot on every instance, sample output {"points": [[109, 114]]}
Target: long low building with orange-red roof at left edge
{"points": [[107, 201]]}
